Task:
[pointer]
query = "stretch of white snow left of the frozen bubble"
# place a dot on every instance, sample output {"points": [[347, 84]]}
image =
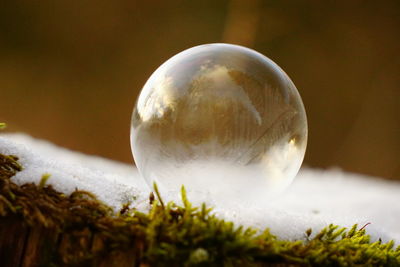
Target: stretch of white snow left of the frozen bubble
{"points": [[112, 182]]}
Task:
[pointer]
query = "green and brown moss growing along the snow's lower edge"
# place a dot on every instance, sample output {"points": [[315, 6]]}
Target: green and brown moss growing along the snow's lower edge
{"points": [[87, 232]]}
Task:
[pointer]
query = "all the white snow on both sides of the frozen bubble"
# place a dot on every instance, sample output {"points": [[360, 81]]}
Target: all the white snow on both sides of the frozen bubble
{"points": [[315, 199]]}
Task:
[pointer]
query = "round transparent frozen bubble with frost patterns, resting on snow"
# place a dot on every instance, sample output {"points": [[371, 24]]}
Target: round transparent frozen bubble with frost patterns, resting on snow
{"points": [[222, 120]]}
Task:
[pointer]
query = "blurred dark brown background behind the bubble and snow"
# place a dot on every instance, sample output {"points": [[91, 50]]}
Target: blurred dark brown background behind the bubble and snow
{"points": [[70, 71]]}
